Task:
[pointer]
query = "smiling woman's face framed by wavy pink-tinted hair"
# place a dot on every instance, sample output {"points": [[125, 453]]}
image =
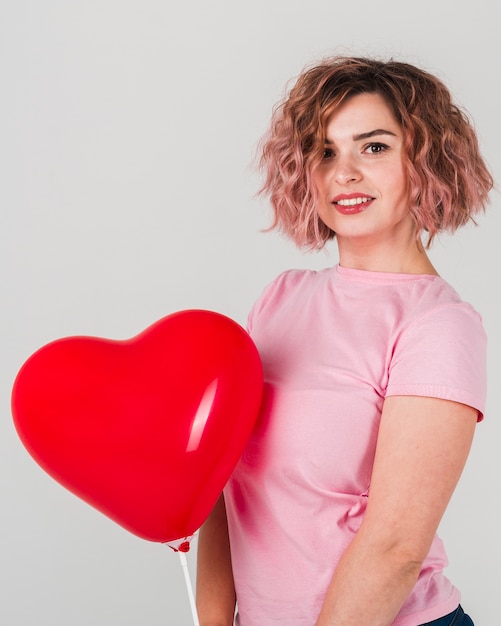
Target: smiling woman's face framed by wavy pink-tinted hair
{"points": [[362, 181]]}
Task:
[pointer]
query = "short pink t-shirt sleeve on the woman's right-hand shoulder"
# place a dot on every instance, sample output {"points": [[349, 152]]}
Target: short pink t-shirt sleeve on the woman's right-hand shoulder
{"points": [[442, 355]]}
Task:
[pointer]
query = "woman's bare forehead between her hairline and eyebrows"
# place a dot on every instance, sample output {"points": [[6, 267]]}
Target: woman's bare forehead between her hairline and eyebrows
{"points": [[362, 113]]}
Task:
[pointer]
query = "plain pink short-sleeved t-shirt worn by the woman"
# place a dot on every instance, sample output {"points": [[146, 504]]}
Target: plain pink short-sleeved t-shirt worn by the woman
{"points": [[334, 344]]}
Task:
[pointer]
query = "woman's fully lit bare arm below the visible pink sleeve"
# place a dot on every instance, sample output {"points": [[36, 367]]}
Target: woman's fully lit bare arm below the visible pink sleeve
{"points": [[422, 447]]}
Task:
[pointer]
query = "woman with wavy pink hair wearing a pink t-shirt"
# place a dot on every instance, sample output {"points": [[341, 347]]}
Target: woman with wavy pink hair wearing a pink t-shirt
{"points": [[374, 369]]}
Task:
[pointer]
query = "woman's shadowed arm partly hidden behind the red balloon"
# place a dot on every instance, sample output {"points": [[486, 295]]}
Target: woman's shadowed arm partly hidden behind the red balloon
{"points": [[215, 588]]}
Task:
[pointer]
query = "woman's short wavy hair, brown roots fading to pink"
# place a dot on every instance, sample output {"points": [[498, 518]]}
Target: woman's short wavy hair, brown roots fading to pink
{"points": [[449, 181]]}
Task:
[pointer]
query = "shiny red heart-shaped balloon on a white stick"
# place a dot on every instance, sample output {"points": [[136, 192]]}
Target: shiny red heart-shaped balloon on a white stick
{"points": [[146, 430]]}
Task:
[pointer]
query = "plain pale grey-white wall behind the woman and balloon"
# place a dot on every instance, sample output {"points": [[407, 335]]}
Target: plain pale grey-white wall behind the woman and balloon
{"points": [[127, 132]]}
